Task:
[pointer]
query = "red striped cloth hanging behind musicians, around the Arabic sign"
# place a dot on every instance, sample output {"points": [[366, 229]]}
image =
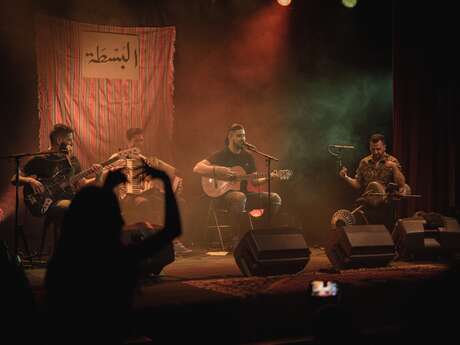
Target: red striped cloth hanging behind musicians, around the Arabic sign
{"points": [[101, 110]]}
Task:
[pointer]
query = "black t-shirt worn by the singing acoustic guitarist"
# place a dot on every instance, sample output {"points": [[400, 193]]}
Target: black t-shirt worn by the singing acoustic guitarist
{"points": [[229, 159]]}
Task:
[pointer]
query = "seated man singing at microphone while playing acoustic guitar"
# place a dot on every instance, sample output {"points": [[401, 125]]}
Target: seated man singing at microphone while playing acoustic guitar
{"points": [[219, 166]]}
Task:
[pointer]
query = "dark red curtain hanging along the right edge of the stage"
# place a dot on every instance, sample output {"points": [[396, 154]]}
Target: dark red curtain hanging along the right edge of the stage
{"points": [[427, 103]]}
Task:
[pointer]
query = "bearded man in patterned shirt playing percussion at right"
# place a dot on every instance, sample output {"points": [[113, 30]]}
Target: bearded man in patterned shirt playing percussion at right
{"points": [[378, 169]]}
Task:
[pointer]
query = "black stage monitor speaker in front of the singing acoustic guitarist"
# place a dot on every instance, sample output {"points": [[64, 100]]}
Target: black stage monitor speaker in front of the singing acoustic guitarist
{"points": [[274, 251]]}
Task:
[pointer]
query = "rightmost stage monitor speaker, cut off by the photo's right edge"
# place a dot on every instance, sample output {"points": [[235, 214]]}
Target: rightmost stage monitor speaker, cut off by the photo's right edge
{"points": [[428, 236]]}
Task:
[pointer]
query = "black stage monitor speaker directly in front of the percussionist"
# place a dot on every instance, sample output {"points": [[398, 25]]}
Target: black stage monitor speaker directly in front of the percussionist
{"points": [[356, 246]]}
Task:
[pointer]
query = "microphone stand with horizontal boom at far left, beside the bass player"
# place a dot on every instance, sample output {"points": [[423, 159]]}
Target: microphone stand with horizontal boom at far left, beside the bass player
{"points": [[19, 230]]}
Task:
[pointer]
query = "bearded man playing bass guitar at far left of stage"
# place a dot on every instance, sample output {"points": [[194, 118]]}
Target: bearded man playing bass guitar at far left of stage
{"points": [[52, 166]]}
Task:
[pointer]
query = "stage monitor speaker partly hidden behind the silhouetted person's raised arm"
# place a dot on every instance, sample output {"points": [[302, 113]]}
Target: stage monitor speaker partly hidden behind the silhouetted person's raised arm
{"points": [[155, 263]]}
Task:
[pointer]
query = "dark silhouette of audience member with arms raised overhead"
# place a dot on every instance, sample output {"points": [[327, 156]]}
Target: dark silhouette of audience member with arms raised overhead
{"points": [[92, 276]]}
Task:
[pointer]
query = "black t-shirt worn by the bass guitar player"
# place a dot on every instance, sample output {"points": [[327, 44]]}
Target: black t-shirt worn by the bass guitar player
{"points": [[48, 166]]}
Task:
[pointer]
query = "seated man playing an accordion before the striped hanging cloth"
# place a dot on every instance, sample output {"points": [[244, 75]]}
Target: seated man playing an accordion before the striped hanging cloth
{"points": [[142, 198]]}
